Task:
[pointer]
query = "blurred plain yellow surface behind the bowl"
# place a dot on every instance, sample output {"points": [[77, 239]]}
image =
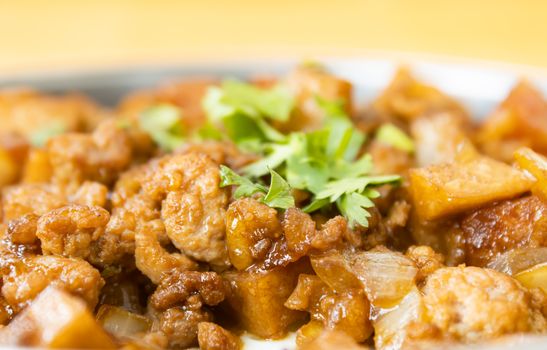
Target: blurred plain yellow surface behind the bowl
{"points": [[72, 34]]}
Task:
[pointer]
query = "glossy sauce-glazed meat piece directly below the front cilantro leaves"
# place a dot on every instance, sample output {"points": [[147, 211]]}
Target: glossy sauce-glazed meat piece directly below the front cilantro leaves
{"points": [[255, 234]]}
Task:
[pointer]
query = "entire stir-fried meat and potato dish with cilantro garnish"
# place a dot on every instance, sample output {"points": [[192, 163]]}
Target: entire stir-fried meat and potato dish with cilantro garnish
{"points": [[205, 210]]}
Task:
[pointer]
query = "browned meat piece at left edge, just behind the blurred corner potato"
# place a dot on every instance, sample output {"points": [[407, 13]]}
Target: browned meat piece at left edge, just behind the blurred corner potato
{"points": [[24, 278]]}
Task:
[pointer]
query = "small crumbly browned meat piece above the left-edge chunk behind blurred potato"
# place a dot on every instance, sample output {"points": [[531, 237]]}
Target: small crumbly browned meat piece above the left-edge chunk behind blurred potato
{"points": [[72, 231]]}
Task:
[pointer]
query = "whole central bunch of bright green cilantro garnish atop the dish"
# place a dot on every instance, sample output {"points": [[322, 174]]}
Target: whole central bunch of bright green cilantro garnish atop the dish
{"points": [[324, 162]]}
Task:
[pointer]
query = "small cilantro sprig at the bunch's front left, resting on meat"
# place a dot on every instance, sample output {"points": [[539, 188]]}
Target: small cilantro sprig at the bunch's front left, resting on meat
{"points": [[278, 195]]}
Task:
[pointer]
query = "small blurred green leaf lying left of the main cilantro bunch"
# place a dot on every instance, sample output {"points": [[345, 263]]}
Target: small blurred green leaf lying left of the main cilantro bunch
{"points": [[163, 124]]}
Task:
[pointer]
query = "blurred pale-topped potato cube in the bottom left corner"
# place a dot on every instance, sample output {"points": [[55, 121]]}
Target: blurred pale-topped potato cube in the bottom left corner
{"points": [[56, 319]]}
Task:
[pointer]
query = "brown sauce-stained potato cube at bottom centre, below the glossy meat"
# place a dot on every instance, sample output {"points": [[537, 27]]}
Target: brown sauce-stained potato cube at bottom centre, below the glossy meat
{"points": [[257, 298]]}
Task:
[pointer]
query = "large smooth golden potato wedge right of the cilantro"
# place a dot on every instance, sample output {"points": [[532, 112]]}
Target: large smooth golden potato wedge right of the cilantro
{"points": [[446, 189]]}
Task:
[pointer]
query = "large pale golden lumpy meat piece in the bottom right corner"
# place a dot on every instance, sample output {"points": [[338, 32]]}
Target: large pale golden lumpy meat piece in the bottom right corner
{"points": [[469, 304]]}
